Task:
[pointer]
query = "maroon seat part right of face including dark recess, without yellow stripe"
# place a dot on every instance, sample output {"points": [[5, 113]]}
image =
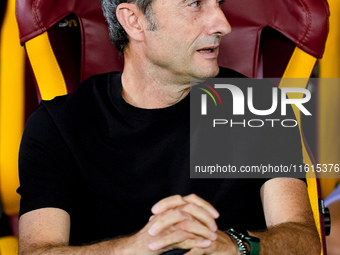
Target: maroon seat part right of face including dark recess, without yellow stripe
{"points": [[277, 26]]}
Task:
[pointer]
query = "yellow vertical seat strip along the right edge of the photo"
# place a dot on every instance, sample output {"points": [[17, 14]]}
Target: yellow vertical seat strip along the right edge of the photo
{"points": [[329, 106]]}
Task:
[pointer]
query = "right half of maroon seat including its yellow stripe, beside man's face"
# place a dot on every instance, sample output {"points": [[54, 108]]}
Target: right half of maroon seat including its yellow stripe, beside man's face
{"points": [[275, 38]]}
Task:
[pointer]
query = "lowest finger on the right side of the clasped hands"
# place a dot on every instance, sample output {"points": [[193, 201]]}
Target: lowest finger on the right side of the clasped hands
{"points": [[197, 228]]}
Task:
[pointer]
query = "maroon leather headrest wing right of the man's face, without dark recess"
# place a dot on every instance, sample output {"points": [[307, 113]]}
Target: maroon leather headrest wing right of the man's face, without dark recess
{"points": [[304, 22]]}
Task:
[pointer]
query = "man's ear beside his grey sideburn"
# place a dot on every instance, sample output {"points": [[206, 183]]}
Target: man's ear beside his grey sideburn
{"points": [[132, 20]]}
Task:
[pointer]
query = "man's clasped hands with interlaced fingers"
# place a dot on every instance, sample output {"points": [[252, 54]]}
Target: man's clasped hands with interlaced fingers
{"points": [[183, 223]]}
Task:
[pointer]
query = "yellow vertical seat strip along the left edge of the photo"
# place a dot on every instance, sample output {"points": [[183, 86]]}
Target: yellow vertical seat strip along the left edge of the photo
{"points": [[12, 90]]}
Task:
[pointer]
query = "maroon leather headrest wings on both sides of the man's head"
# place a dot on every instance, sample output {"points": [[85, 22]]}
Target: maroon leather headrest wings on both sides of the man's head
{"points": [[304, 22]]}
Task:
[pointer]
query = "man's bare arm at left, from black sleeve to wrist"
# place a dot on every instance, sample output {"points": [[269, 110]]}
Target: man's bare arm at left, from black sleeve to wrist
{"points": [[46, 231]]}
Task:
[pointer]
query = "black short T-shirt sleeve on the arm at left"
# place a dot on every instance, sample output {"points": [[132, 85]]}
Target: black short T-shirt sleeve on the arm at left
{"points": [[45, 165]]}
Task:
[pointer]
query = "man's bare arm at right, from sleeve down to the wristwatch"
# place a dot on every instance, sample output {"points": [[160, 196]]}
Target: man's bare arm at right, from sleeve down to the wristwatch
{"points": [[291, 227]]}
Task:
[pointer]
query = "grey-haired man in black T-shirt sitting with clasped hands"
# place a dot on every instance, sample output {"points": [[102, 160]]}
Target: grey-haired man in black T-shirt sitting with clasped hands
{"points": [[93, 164]]}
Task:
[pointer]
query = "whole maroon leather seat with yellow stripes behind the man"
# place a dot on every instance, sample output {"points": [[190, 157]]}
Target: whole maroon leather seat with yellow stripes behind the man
{"points": [[270, 38]]}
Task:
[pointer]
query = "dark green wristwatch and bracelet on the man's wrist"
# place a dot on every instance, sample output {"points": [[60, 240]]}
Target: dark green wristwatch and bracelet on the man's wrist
{"points": [[240, 238]]}
